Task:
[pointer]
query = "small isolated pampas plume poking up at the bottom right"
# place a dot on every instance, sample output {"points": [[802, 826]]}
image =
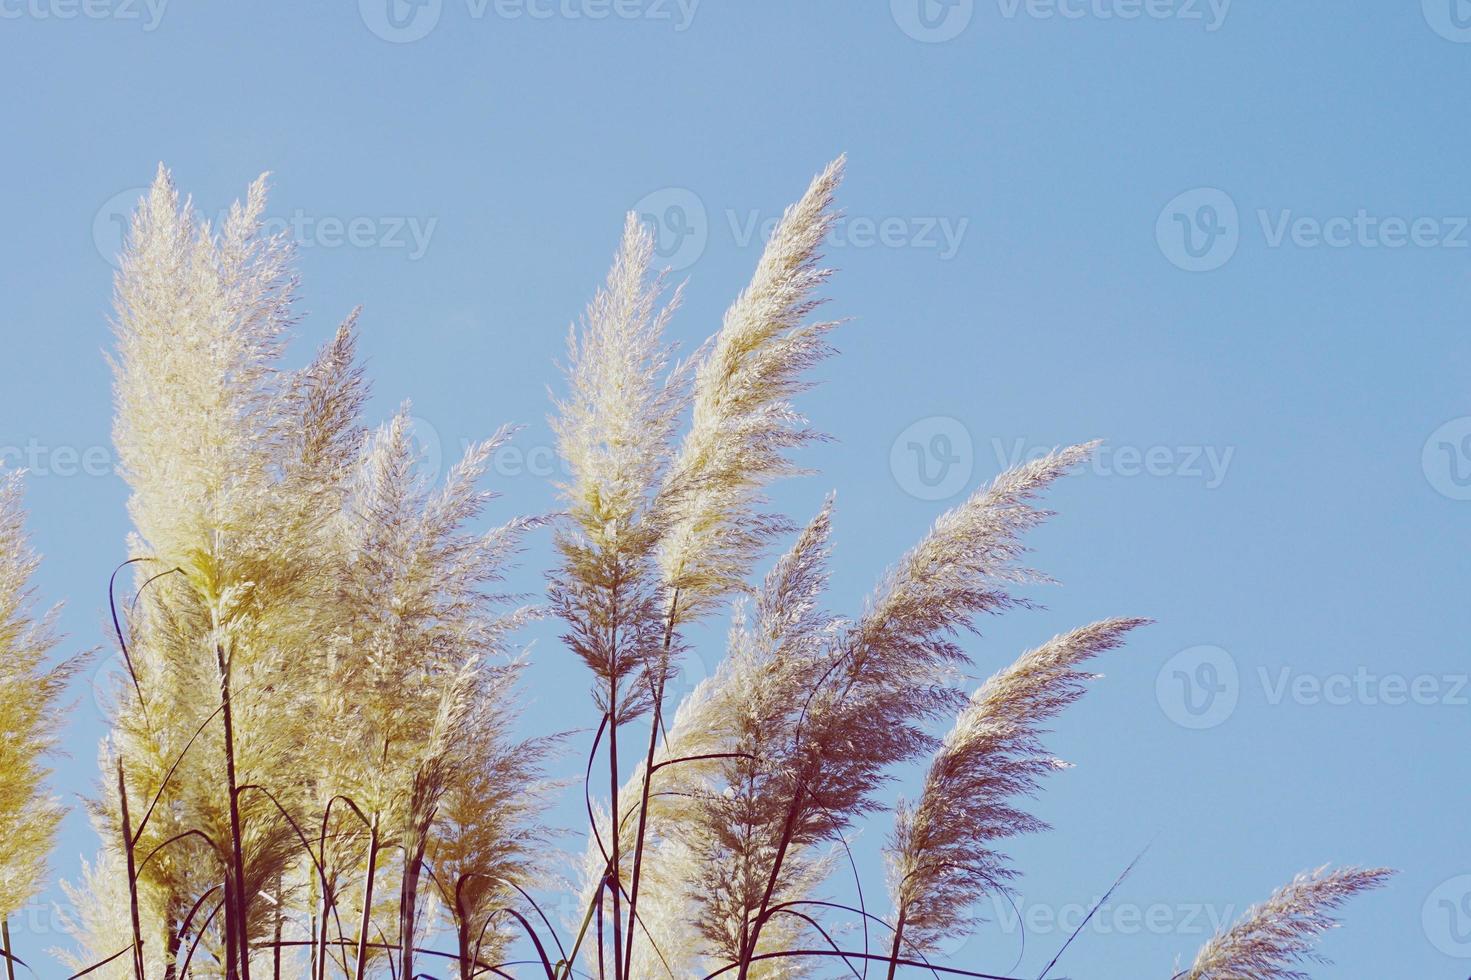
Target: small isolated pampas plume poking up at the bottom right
{"points": [[1285, 929]]}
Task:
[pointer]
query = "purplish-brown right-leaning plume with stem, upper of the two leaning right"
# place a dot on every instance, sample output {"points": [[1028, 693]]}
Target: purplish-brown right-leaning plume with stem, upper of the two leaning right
{"points": [[889, 673]]}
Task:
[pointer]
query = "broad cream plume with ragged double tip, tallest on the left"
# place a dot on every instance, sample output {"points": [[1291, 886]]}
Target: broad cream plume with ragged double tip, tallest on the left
{"points": [[199, 329]]}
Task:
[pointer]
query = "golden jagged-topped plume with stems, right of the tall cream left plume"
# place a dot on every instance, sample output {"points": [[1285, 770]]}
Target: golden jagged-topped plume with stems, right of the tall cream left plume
{"points": [[416, 669]]}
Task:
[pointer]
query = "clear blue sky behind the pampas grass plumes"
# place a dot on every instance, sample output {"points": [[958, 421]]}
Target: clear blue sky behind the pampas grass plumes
{"points": [[1232, 242]]}
